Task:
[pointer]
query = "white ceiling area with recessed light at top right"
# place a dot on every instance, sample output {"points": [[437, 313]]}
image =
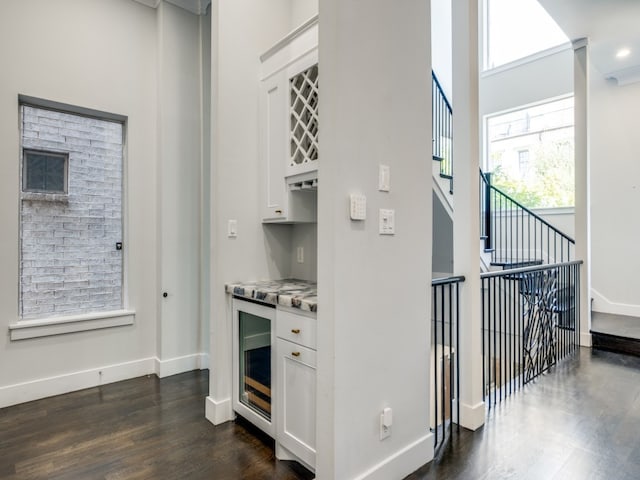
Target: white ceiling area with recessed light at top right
{"points": [[609, 25]]}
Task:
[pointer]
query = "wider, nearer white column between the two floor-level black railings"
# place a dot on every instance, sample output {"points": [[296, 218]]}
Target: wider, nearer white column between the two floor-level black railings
{"points": [[466, 223]]}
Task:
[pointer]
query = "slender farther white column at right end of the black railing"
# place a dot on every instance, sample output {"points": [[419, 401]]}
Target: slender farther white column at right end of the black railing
{"points": [[582, 181]]}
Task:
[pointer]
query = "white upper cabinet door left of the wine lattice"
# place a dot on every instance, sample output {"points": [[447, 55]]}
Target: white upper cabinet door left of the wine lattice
{"points": [[273, 137]]}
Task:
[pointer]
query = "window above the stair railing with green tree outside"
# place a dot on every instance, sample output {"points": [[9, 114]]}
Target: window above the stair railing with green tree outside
{"points": [[530, 153]]}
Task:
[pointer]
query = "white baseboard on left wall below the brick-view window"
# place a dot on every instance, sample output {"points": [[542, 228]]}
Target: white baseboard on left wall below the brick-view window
{"points": [[47, 387]]}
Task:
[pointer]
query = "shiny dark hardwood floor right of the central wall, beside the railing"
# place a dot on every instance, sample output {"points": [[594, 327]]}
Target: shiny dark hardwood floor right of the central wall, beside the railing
{"points": [[581, 421]]}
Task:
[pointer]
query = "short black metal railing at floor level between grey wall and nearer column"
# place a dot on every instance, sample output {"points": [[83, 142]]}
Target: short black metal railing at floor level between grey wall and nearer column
{"points": [[445, 383]]}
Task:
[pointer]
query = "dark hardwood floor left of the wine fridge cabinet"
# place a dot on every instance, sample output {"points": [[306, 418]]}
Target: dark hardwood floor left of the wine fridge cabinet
{"points": [[143, 428]]}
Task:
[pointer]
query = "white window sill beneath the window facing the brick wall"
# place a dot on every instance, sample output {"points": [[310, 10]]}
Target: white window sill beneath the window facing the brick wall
{"points": [[45, 327]]}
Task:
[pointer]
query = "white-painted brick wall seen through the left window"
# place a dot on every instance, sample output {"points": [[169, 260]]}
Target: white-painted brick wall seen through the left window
{"points": [[69, 262]]}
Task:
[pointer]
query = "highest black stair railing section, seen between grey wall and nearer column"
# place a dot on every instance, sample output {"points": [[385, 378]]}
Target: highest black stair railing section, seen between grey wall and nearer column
{"points": [[442, 130]]}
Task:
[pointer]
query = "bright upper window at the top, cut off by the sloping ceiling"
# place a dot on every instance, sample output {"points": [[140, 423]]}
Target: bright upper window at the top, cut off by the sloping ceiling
{"points": [[515, 29]]}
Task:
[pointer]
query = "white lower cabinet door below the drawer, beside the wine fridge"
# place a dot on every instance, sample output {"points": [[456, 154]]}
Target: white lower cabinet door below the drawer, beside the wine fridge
{"points": [[296, 421]]}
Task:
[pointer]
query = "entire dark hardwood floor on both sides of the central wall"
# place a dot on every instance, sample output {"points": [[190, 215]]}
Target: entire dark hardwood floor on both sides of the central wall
{"points": [[581, 421]]}
